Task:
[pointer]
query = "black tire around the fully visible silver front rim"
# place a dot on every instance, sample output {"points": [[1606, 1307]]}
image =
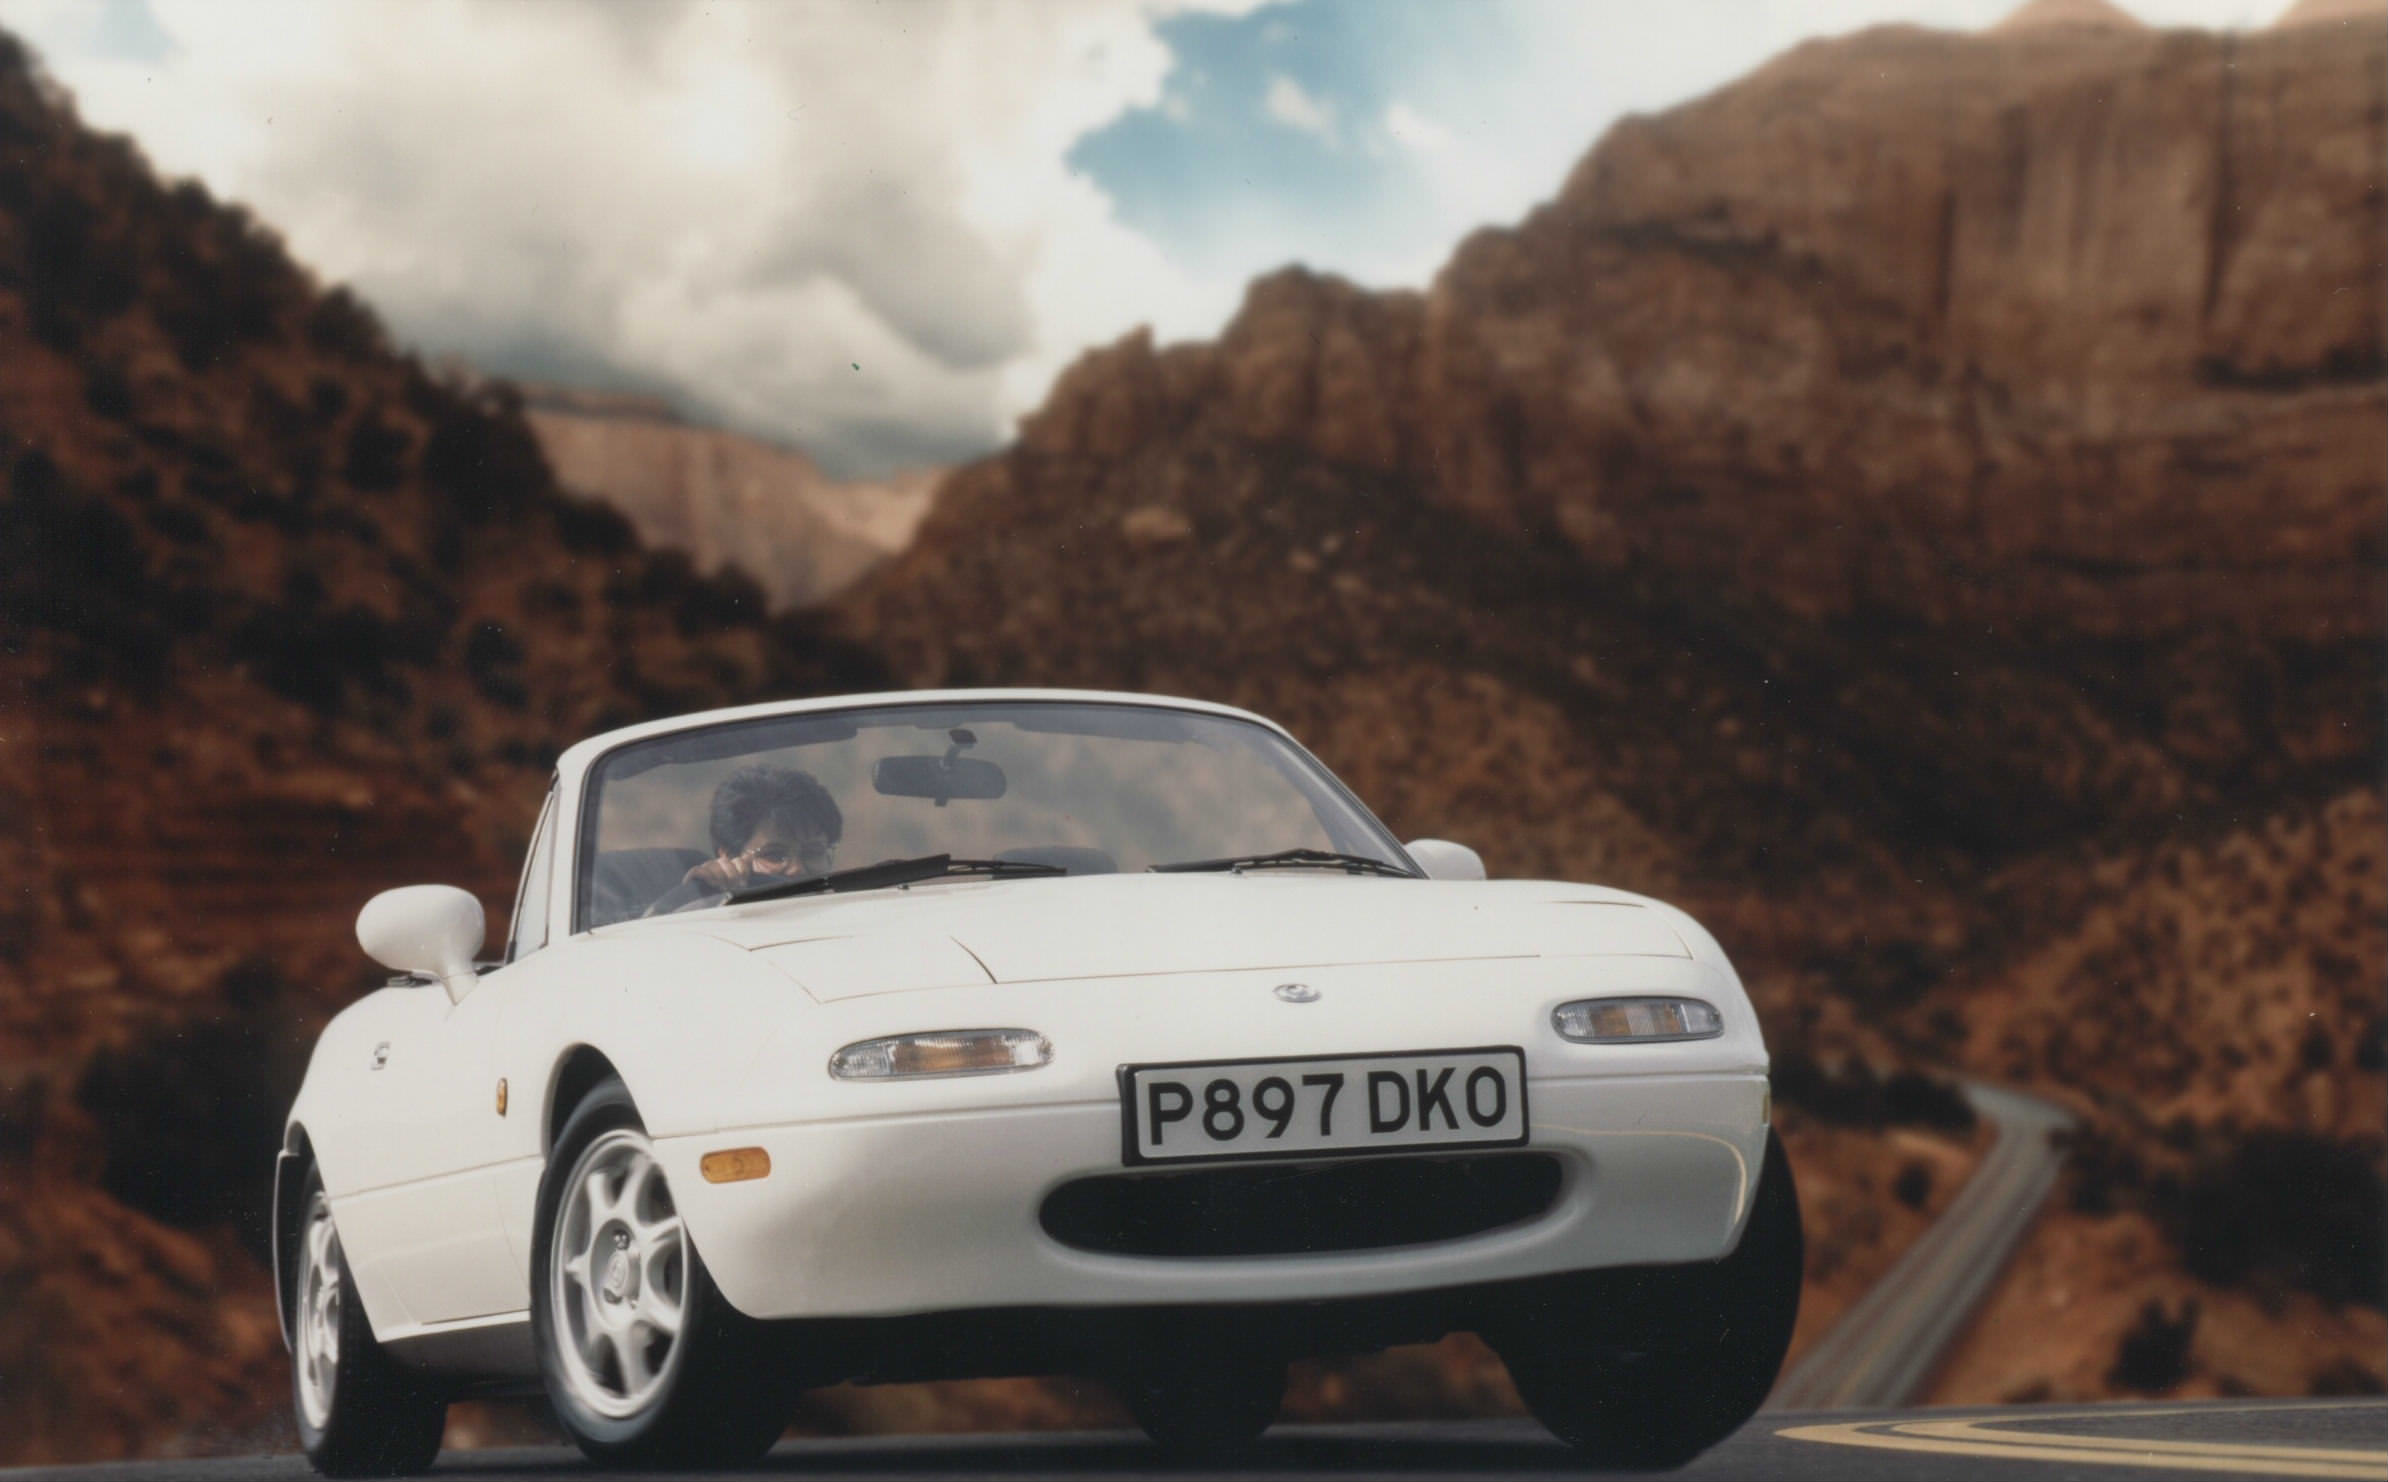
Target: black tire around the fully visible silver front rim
{"points": [[720, 1400]]}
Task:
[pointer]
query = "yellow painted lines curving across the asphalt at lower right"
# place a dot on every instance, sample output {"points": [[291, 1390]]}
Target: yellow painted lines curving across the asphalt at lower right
{"points": [[1974, 1438]]}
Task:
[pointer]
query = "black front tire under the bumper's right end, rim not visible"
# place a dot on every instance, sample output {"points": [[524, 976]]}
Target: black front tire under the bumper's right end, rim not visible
{"points": [[1713, 1340]]}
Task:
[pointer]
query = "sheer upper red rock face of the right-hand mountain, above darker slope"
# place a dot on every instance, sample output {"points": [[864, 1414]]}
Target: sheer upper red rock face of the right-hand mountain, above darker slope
{"points": [[2045, 326]]}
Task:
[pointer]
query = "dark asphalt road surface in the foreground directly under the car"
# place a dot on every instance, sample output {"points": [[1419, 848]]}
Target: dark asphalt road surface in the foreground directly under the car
{"points": [[2007, 1445]]}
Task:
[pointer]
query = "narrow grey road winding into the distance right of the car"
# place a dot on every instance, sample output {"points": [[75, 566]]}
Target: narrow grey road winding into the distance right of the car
{"points": [[1888, 1345]]}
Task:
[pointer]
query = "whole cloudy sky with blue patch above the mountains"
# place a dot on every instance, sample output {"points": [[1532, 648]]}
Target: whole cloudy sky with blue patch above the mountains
{"points": [[878, 230]]}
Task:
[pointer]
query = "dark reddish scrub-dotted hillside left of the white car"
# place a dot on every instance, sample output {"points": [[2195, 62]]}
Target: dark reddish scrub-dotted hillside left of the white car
{"points": [[283, 622]]}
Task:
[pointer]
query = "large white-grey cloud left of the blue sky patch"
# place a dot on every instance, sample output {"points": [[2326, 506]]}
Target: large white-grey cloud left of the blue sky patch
{"points": [[732, 202]]}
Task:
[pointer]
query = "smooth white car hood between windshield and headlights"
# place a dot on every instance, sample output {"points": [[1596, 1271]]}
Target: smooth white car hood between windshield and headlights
{"points": [[1114, 927]]}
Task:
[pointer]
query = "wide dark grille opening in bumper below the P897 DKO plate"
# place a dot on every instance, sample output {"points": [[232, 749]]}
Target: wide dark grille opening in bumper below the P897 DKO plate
{"points": [[1300, 1209]]}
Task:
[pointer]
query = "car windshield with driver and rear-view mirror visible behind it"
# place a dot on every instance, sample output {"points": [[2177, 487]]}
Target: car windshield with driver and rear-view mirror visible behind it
{"points": [[689, 820]]}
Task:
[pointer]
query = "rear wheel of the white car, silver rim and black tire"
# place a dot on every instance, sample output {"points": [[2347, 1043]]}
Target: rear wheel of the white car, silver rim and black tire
{"points": [[359, 1414]]}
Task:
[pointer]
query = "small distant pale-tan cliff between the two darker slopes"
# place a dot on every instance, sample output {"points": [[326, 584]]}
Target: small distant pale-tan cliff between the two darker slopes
{"points": [[727, 500]]}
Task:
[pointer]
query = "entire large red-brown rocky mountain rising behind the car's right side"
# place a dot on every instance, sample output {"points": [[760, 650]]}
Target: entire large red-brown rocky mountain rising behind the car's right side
{"points": [[1921, 507]]}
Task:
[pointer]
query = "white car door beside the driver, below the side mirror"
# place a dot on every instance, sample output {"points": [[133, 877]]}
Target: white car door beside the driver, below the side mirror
{"points": [[438, 1135]]}
